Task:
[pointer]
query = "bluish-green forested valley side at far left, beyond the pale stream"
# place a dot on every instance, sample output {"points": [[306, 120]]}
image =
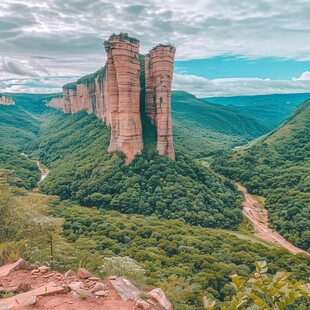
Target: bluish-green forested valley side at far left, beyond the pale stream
{"points": [[20, 124]]}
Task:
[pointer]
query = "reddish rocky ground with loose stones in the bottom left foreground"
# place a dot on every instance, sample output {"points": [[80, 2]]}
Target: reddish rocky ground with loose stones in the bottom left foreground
{"points": [[27, 286]]}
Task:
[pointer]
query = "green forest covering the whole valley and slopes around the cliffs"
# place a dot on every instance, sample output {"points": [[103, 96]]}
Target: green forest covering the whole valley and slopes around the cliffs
{"points": [[179, 220]]}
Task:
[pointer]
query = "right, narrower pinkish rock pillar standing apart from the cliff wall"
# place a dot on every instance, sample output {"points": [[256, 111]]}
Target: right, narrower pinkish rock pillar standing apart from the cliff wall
{"points": [[159, 65]]}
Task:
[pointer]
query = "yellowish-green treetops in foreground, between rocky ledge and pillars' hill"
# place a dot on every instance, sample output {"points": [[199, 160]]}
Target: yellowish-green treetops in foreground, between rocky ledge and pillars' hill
{"points": [[187, 262]]}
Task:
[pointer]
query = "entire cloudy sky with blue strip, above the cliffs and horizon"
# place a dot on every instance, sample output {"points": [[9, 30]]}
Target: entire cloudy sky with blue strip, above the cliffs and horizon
{"points": [[224, 47]]}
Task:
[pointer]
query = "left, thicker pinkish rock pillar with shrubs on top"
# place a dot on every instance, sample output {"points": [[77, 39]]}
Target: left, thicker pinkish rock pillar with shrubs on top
{"points": [[123, 92]]}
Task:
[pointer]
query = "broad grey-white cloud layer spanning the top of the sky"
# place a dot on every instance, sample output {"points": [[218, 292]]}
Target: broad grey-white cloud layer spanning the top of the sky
{"points": [[199, 28]]}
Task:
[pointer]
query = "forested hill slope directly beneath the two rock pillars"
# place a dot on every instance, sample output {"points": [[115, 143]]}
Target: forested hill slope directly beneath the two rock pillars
{"points": [[74, 147]]}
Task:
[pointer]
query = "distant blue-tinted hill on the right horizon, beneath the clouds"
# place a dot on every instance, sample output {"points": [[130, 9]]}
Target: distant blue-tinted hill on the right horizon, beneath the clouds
{"points": [[268, 110]]}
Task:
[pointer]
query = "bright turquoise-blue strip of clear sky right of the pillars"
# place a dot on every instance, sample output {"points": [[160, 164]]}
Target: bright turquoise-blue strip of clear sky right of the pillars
{"points": [[240, 67]]}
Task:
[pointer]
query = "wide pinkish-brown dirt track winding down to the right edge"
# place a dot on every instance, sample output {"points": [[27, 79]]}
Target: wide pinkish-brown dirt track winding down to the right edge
{"points": [[258, 217]]}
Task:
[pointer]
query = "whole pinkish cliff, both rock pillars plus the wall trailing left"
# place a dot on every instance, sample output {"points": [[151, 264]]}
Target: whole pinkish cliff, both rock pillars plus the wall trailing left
{"points": [[113, 94]]}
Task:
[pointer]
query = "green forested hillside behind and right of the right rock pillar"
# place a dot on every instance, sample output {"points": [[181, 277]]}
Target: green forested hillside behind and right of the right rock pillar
{"points": [[202, 129]]}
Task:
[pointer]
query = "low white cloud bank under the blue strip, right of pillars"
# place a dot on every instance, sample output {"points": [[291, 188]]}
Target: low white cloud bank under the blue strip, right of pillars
{"points": [[202, 87]]}
